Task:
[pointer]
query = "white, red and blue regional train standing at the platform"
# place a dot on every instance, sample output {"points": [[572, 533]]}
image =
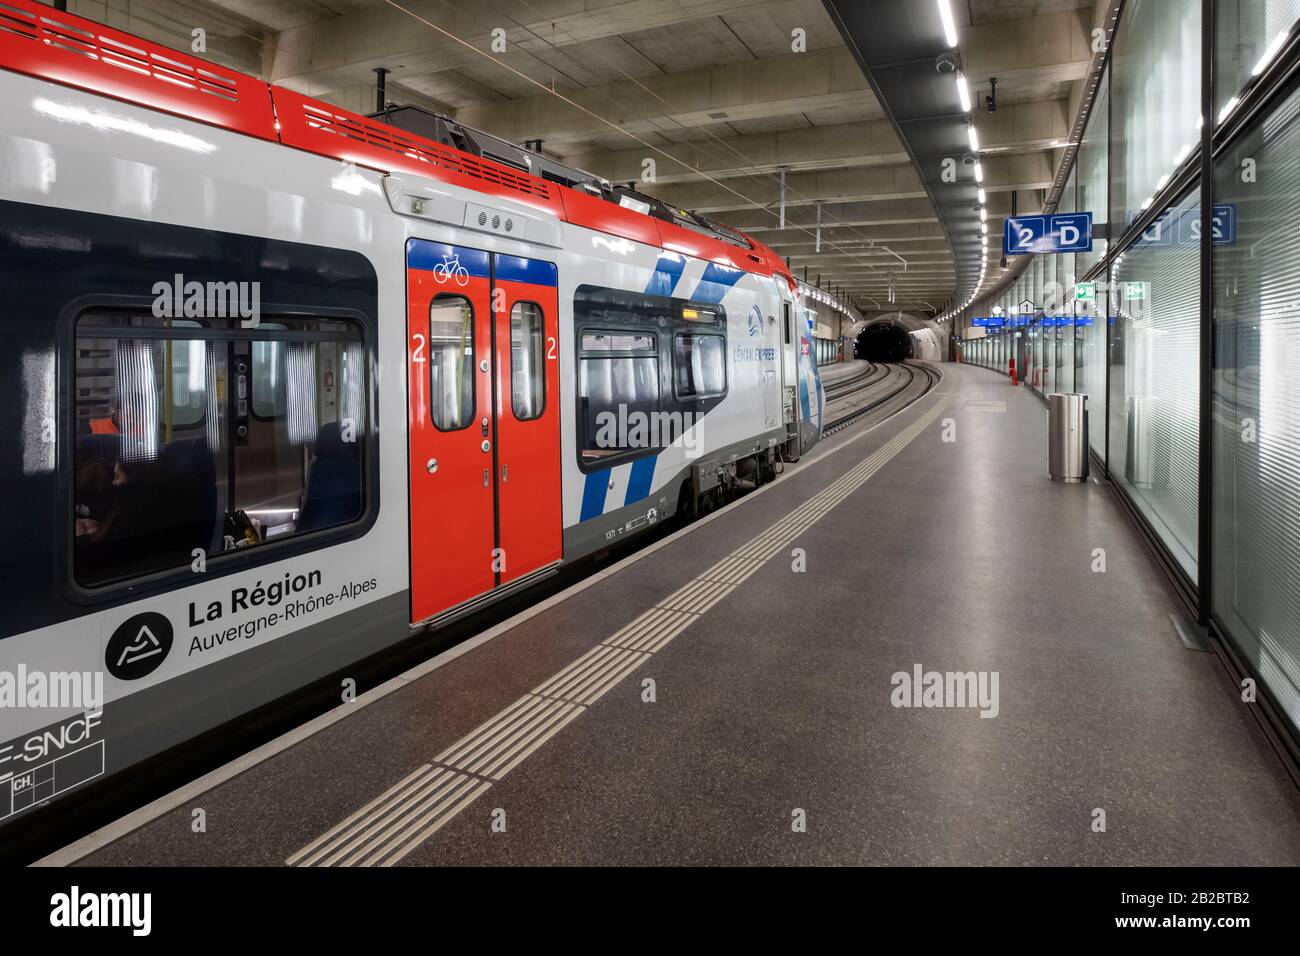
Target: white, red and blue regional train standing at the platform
{"points": [[285, 386]]}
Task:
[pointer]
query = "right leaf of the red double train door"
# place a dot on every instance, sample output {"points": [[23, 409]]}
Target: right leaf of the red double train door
{"points": [[528, 416]]}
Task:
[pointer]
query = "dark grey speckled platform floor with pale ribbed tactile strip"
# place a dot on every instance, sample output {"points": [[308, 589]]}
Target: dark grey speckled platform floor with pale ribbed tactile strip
{"points": [[773, 695]]}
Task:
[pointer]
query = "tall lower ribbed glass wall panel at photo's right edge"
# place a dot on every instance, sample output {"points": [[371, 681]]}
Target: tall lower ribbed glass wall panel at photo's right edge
{"points": [[1256, 482]]}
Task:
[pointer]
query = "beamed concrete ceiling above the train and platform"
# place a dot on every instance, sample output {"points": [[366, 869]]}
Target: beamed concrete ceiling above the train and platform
{"points": [[710, 90]]}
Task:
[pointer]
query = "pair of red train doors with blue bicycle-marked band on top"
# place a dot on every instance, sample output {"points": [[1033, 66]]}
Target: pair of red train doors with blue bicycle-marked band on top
{"points": [[484, 422]]}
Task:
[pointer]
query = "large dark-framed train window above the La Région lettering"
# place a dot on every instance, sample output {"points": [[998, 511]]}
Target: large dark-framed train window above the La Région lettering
{"points": [[171, 466]]}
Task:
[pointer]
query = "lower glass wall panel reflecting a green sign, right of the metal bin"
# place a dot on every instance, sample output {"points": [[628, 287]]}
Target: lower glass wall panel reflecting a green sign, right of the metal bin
{"points": [[1155, 390]]}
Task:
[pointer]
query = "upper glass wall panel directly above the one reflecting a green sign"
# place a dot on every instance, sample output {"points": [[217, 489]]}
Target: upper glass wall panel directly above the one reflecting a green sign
{"points": [[1155, 106]]}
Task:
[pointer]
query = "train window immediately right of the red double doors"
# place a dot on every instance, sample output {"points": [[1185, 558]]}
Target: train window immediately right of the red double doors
{"points": [[617, 390]]}
